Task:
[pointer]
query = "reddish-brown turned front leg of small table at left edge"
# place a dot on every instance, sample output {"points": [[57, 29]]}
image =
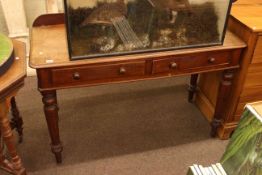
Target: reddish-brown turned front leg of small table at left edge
{"points": [[15, 166]]}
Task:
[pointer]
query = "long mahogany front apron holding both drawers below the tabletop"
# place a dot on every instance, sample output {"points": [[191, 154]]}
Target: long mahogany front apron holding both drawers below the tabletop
{"points": [[63, 77]]}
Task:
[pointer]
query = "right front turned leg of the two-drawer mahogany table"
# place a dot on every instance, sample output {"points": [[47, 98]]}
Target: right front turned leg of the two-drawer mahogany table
{"points": [[222, 99]]}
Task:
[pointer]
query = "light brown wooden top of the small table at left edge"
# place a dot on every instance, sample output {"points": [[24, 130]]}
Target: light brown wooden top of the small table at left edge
{"points": [[18, 69]]}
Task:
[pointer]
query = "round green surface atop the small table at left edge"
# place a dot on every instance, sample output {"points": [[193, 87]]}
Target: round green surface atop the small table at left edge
{"points": [[6, 49]]}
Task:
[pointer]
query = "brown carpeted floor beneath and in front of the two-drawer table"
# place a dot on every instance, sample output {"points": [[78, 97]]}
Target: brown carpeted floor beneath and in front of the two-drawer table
{"points": [[140, 128]]}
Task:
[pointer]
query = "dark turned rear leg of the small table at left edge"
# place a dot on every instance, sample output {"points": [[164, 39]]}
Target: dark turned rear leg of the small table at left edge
{"points": [[17, 121]]}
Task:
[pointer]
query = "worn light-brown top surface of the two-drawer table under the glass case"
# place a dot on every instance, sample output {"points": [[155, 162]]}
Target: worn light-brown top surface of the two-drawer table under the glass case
{"points": [[49, 49]]}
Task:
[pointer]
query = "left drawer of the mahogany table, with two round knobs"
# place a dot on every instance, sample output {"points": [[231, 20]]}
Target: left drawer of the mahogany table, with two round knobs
{"points": [[97, 73]]}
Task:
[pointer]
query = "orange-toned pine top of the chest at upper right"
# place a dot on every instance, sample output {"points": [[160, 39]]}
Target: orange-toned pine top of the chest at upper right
{"points": [[249, 14]]}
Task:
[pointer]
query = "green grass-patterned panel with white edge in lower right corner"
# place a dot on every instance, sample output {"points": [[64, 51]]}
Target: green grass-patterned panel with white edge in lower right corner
{"points": [[243, 155]]}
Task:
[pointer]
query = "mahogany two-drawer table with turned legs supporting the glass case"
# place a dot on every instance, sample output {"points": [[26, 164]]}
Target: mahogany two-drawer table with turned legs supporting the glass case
{"points": [[49, 56]]}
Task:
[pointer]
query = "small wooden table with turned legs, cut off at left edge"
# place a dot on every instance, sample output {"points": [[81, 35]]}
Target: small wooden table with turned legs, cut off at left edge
{"points": [[10, 83]]}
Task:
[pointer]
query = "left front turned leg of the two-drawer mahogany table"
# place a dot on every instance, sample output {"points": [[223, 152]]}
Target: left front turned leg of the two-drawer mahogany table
{"points": [[51, 114]]}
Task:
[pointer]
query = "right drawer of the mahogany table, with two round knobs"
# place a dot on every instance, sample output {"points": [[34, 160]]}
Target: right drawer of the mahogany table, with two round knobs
{"points": [[185, 63]]}
